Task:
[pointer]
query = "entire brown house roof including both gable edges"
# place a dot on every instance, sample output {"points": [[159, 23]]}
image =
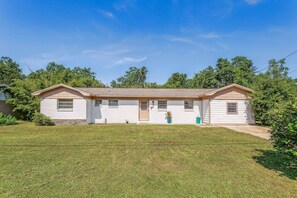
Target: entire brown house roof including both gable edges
{"points": [[142, 92]]}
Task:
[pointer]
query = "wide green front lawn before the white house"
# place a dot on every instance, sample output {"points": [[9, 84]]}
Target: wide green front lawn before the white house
{"points": [[139, 161]]}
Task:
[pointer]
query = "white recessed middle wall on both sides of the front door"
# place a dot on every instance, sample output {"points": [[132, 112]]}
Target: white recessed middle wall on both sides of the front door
{"points": [[128, 110]]}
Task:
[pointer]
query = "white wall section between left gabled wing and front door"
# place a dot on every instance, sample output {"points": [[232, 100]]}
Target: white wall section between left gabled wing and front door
{"points": [[127, 110]]}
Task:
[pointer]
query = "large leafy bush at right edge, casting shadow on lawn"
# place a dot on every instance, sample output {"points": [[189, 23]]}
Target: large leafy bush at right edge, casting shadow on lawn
{"points": [[284, 132]]}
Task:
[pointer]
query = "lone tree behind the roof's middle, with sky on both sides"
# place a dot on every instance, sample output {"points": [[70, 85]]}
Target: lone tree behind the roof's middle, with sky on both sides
{"points": [[134, 77]]}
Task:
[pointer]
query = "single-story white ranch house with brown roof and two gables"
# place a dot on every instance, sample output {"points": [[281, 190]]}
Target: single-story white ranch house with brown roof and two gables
{"points": [[73, 105]]}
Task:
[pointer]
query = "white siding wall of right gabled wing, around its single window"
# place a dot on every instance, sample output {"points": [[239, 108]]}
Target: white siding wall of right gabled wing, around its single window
{"points": [[219, 112]]}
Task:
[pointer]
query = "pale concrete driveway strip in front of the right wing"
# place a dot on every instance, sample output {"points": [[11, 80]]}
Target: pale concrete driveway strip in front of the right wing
{"points": [[258, 131]]}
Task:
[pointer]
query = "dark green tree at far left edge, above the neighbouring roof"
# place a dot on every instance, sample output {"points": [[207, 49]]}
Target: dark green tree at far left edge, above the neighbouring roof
{"points": [[9, 70]]}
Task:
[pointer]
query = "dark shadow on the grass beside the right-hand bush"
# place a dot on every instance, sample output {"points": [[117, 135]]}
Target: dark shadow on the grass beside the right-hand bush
{"points": [[273, 160]]}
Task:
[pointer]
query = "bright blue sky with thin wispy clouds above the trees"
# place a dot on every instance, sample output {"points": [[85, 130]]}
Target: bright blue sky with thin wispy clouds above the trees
{"points": [[165, 35]]}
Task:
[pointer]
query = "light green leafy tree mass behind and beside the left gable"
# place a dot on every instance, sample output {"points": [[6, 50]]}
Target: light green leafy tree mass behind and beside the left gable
{"points": [[25, 105]]}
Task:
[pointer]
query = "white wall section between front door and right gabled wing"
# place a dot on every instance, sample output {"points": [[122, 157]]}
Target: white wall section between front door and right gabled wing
{"points": [[179, 114]]}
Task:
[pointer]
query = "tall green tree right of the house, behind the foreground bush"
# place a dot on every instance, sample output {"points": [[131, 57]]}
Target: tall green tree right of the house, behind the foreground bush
{"points": [[272, 90]]}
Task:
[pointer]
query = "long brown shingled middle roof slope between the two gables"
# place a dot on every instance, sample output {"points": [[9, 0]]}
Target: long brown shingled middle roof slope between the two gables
{"points": [[145, 93]]}
